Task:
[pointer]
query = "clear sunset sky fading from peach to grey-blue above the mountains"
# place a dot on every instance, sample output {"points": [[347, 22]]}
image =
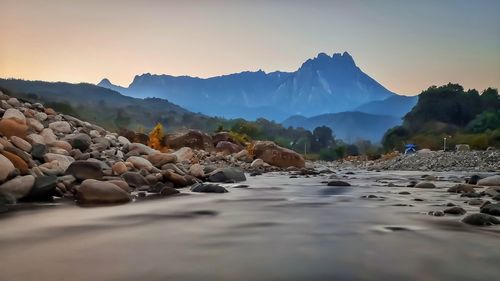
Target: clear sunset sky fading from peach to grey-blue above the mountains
{"points": [[405, 45]]}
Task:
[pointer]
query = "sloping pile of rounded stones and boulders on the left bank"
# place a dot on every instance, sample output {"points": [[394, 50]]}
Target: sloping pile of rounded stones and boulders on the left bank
{"points": [[44, 155]]}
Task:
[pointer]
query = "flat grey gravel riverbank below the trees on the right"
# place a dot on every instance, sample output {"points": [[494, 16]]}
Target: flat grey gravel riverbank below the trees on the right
{"points": [[478, 161]]}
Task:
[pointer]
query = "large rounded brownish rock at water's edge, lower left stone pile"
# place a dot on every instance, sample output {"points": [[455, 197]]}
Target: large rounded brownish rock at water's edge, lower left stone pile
{"points": [[94, 191]]}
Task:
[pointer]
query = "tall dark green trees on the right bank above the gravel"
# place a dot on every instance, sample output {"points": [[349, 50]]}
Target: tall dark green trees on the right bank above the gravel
{"points": [[462, 117]]}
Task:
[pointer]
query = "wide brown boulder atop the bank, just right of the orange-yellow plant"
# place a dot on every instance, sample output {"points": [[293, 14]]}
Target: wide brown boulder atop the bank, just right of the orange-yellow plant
{"points": [[189, 138]]}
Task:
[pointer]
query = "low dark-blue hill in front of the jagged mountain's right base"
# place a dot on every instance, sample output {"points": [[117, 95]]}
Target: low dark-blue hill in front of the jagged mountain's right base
{"points": [[348, 126]]}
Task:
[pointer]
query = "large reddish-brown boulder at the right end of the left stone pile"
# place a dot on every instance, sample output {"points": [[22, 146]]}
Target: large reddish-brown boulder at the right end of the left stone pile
{"points": [[277, 156]]}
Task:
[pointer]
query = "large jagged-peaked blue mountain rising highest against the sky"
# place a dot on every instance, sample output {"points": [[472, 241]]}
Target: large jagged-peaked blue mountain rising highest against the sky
{"points": [[324, 84]]}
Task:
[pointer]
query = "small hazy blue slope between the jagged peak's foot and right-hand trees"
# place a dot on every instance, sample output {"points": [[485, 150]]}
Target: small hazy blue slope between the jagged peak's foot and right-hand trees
{"points": [[395, 105]]}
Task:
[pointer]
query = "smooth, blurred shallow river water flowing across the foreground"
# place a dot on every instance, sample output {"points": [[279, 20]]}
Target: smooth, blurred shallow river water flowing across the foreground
{"points": [[278, 228]]}
